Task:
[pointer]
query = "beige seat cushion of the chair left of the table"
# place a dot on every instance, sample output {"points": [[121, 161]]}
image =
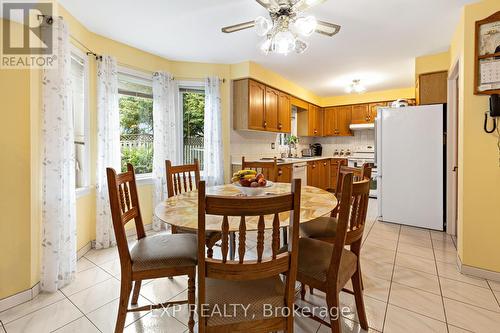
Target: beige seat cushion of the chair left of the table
{"points": [[164, 251]]}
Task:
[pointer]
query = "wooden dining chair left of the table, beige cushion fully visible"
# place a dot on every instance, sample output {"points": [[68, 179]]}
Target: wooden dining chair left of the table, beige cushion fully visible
{"points": [[152, 257]]}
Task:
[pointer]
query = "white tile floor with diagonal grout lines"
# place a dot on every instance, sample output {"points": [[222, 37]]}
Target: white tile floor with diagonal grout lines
{"points": [[410, 277]]}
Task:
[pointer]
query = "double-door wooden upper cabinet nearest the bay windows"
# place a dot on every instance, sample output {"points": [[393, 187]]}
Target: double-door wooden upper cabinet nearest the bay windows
{"points": [[259, 107]]}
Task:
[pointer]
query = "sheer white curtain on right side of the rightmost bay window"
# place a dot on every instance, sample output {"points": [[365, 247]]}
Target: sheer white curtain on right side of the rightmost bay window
{"points": [[213, 158]]}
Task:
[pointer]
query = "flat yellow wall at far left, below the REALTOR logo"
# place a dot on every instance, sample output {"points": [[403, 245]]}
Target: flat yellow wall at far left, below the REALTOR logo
{"points": [[15, 229]]}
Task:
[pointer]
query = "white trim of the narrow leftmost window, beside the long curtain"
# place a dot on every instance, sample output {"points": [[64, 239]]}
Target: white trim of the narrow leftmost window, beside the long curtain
{"points": [[85, 190]]}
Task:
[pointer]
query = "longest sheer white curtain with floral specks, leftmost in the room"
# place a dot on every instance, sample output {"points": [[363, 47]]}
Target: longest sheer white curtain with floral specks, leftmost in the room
{"points": [[58, 191]]}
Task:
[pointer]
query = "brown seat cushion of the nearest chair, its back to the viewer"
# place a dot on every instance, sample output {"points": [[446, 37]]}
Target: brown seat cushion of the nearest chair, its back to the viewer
{"points": [[254, 294]]}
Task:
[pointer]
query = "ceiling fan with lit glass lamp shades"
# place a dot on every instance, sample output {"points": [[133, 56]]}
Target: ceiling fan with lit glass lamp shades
{"points": [[287, 25]]}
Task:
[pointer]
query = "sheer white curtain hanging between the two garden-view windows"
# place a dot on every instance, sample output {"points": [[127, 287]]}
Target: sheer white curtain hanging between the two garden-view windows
{"points": [[166, 140]]}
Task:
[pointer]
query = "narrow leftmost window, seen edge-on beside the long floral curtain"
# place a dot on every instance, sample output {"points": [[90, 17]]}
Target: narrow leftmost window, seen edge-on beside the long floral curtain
{"points": [[79, 90]]}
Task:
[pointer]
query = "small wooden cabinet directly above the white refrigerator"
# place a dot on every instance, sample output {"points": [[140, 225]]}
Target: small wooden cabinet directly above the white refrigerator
{"points": [[432, 88]]}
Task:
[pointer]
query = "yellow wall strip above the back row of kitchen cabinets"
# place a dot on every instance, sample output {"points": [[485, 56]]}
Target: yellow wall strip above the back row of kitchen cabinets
{"points": [[367, 97]]}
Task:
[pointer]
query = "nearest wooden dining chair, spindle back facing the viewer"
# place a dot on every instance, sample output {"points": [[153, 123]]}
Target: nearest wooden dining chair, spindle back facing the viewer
{"points": [[253, 283]]}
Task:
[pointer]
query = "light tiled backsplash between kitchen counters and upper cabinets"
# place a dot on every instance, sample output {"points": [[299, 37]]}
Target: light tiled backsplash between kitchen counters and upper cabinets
{"points": [[255, 145]]}
